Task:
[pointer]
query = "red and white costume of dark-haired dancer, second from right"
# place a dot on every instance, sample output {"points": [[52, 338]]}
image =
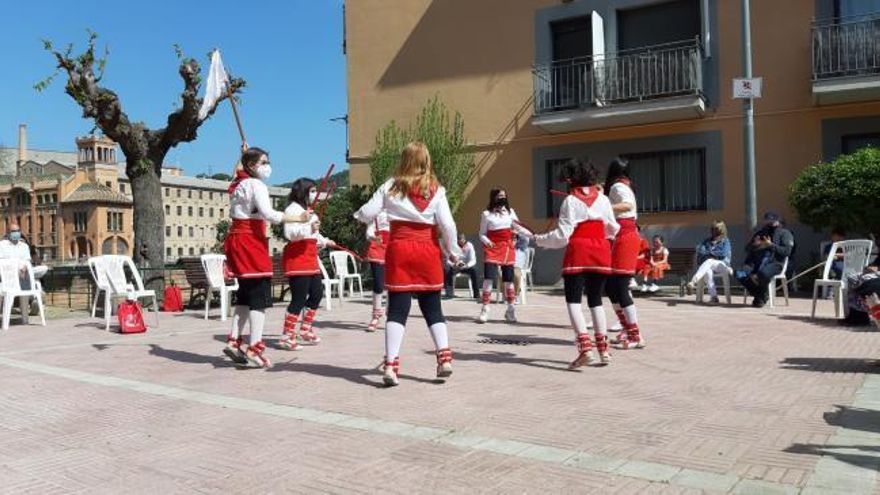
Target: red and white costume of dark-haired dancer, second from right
{"points": [[586, 224]]}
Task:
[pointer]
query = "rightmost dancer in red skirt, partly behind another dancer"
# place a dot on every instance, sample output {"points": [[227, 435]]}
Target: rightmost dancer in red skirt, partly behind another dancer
{"points": [[624, 253]]}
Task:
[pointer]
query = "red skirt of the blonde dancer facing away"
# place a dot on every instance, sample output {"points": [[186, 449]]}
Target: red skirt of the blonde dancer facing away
{"points": [[412, 259]]}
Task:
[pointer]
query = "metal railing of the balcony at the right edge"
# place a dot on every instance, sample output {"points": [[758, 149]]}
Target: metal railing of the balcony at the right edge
{"points": [[846, 47]]}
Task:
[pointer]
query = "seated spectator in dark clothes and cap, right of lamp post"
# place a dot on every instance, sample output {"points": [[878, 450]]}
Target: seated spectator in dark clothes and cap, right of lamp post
{"points": [[766, 253]]}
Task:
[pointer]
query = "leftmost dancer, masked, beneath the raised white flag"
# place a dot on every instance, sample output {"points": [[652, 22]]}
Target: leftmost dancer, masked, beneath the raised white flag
{"points": [[247, 254]]}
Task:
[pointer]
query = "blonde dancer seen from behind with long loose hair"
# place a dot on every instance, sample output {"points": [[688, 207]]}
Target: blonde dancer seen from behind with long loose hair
{"points": [[416, 205]]}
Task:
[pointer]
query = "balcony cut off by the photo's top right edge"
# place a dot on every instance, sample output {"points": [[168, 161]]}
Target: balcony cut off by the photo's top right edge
{"points": [[846, 59]]}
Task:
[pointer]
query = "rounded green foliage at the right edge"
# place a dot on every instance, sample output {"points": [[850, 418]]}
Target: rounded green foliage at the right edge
{"points": [[844, 193]]}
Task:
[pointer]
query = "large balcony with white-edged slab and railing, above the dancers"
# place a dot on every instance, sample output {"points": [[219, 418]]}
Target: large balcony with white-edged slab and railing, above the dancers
{"points": [[652, 84]]}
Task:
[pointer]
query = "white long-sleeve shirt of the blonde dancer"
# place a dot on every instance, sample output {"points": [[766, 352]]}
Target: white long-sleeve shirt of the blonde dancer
{"points": [[400, 208]]}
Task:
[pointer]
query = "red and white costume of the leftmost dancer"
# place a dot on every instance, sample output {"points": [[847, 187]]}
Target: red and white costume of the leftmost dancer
{"points": [[247, 246]]}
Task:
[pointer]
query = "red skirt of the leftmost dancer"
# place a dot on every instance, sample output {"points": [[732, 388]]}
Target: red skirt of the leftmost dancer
{"points": [[247, 249]]}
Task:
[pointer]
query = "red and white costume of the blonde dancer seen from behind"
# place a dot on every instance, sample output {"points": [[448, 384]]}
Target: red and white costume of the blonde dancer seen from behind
{"points": [[412, 257]]}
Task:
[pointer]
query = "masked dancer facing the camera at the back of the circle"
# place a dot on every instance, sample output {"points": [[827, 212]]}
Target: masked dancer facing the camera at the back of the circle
{"points": [[497, 226]]}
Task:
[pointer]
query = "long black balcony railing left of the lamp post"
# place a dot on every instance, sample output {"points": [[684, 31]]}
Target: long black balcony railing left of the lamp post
{"points": [[647, 73]]}
